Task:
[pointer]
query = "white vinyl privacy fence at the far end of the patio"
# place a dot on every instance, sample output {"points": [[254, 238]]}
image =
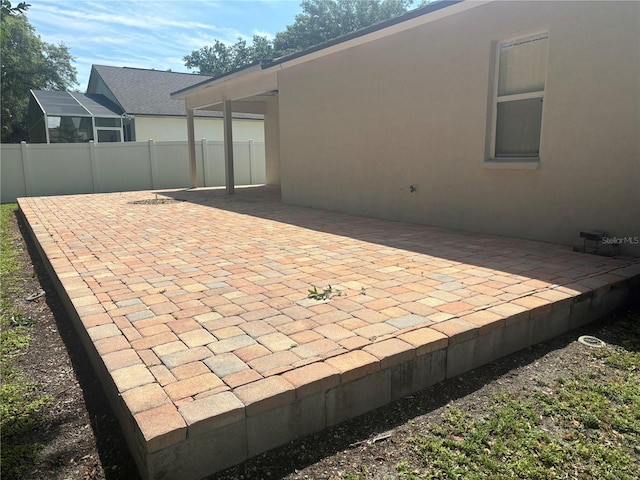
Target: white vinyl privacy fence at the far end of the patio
{"points": [[29, 170]]}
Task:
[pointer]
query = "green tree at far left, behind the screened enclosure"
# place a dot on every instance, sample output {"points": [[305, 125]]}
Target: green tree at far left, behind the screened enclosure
{"points": [[27, 63]]}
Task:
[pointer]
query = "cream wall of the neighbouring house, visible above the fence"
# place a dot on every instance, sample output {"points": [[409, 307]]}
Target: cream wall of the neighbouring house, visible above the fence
{"points": [[175, 129]]}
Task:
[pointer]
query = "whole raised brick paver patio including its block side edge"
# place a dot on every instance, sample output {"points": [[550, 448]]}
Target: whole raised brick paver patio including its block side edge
{"points": [[194, 310]]}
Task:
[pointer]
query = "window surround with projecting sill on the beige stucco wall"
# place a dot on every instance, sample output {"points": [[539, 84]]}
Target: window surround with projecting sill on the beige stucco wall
{"points": [[530, 162]]}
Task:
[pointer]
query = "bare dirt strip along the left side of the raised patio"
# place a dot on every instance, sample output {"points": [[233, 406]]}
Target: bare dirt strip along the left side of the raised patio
{"points": [[80, 438]]}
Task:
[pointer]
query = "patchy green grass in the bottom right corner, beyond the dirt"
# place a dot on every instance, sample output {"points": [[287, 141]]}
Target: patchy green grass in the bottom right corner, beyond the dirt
{"points": [[586, 427]]}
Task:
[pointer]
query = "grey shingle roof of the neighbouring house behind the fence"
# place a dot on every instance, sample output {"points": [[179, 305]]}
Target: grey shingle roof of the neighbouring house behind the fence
{"points": [[147, 92]]}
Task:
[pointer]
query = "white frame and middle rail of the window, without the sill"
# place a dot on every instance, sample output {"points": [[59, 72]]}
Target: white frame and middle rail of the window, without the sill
{"points": [[496, 99]]}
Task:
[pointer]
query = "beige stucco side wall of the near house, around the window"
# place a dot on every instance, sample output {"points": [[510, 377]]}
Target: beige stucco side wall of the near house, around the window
{"points": [[358, 127]]}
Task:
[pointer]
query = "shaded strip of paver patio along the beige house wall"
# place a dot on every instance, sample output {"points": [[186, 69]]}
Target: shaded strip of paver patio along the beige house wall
{"points": [[524, 259]]}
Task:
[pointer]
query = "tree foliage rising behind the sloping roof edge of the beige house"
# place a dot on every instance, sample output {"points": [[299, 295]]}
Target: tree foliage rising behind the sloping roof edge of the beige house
{"points": [[320, 21]]}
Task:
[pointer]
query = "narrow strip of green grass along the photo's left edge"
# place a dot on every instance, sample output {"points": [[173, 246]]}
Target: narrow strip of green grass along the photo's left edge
{"points": [[21, 406]]}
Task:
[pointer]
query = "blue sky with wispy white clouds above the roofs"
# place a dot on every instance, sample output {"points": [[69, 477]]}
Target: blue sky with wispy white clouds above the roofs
{"points": [[152, 33]]}
